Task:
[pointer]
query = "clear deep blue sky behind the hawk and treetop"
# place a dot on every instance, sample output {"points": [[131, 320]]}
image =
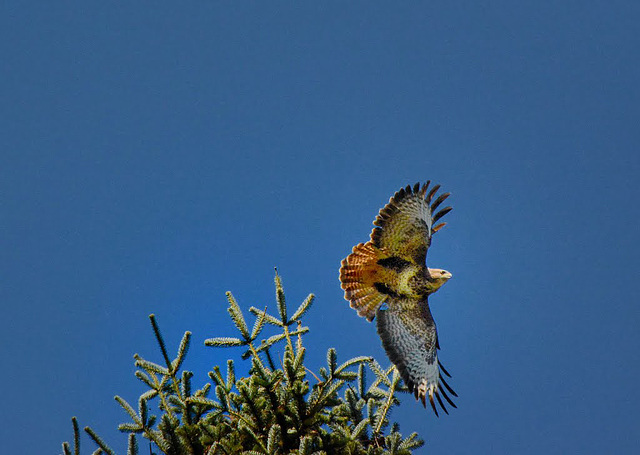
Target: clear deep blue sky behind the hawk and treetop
{"points": [[155, 156]]}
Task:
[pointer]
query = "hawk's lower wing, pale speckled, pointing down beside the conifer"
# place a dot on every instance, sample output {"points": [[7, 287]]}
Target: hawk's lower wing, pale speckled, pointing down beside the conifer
{"points": [[409, 337]]}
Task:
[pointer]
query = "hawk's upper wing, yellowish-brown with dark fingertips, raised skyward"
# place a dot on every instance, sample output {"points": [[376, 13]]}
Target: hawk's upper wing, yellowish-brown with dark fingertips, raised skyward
{"points": [[405, 225]]}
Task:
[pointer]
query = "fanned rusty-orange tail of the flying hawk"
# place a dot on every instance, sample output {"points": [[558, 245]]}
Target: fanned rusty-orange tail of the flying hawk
{"points": [[360, 277]]}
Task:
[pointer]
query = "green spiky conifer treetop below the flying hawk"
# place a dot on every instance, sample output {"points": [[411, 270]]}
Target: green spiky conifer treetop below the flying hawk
{"points": [[280, 408]]}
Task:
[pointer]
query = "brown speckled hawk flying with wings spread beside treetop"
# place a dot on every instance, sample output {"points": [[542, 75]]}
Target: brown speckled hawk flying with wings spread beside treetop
{"points": [[390, 268]]}
